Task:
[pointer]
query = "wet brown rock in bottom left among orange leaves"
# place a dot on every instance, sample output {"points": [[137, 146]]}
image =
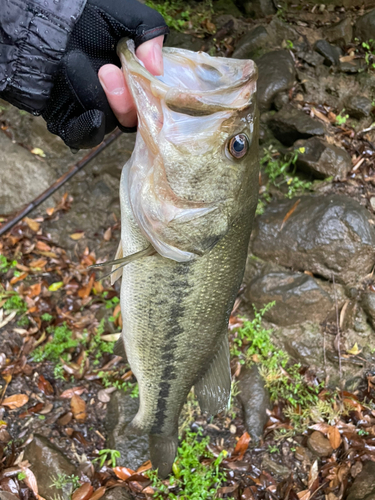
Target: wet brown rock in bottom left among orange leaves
{"points": [[47, 462]]}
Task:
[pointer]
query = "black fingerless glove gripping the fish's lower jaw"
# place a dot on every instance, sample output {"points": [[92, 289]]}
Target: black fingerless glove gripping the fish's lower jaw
{"points": [[78, 110]]}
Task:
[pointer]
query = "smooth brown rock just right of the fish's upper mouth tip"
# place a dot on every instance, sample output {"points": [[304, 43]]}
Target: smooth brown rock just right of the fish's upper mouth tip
{"points": [[276, 74]]}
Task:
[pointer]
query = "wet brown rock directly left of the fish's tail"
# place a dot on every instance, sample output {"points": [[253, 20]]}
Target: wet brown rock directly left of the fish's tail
{"points": [[121, 410]]}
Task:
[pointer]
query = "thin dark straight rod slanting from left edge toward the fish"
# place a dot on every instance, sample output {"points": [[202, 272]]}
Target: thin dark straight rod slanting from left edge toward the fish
{"points": [[60, 182]]}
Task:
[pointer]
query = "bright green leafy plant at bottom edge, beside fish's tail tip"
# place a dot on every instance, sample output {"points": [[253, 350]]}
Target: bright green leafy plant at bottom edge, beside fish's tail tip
{"points": [[191, 479]]}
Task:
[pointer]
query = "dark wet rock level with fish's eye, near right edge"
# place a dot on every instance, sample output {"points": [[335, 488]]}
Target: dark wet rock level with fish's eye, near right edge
{"points": [[323, 160]]}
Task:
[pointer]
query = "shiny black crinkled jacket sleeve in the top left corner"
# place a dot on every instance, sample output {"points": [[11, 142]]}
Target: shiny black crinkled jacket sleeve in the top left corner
{"points": [[33, 38]]}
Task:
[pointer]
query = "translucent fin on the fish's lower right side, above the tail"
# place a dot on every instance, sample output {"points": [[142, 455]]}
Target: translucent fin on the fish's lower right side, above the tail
{"points": [[213, 390]]}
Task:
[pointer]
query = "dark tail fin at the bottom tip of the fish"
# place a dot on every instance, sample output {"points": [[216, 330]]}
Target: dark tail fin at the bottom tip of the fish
{"points": [[163, 450]]}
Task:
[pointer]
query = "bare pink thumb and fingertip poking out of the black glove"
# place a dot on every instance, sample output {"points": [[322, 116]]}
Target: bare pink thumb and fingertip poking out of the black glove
{"points": [[114, 85]]}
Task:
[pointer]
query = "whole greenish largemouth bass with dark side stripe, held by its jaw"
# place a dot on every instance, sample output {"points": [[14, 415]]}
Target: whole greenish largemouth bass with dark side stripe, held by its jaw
{"points": [[188, 198]]}
